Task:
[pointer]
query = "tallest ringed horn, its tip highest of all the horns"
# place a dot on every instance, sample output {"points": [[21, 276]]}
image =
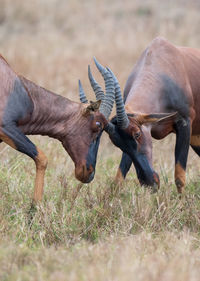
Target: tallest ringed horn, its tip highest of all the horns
{"points": [[107, 104]]}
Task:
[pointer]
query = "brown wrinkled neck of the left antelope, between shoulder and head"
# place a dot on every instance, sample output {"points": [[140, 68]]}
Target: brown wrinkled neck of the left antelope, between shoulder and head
{"points": [[51, 113]]}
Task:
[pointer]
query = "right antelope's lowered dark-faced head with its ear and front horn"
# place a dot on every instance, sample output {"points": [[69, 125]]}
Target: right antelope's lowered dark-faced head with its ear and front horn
{"points": [[131, 132]]}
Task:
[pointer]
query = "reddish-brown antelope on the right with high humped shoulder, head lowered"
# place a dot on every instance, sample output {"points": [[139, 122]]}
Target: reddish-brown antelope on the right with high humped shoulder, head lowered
{"points": [[162, 96]]}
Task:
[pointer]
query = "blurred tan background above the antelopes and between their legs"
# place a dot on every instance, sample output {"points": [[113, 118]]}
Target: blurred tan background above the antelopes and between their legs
{"points": [[51, 42]]}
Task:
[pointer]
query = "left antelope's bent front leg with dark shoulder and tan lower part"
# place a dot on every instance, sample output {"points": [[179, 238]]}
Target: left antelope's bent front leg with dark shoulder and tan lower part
{"points": [[19, 108]]}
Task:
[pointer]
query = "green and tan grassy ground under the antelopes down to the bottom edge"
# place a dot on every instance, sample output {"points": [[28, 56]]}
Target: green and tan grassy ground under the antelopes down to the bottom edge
{"points": [[98, 233]]}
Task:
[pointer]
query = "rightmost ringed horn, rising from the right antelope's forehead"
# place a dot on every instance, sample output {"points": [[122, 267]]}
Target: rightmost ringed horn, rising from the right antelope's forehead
{"points": [[122, 118]]}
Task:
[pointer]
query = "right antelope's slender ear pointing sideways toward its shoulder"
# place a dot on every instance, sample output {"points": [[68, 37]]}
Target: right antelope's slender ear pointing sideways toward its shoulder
{"points": [[156, 117]]}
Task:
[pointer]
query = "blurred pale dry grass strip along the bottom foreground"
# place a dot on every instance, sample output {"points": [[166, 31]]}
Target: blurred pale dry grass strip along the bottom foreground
{"points": [[139, 257]]}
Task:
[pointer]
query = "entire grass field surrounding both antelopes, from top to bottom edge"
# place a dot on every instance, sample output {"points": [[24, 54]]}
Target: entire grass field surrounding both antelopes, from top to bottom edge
{"points": [[95, 231]]}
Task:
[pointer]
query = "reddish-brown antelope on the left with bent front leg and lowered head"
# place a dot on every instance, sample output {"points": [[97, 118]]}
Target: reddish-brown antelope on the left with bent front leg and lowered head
{"points": [[29, 109]]}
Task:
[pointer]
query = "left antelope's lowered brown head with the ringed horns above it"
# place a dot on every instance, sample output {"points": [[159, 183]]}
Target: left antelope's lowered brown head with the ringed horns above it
{"points": [[85, 130]]}
